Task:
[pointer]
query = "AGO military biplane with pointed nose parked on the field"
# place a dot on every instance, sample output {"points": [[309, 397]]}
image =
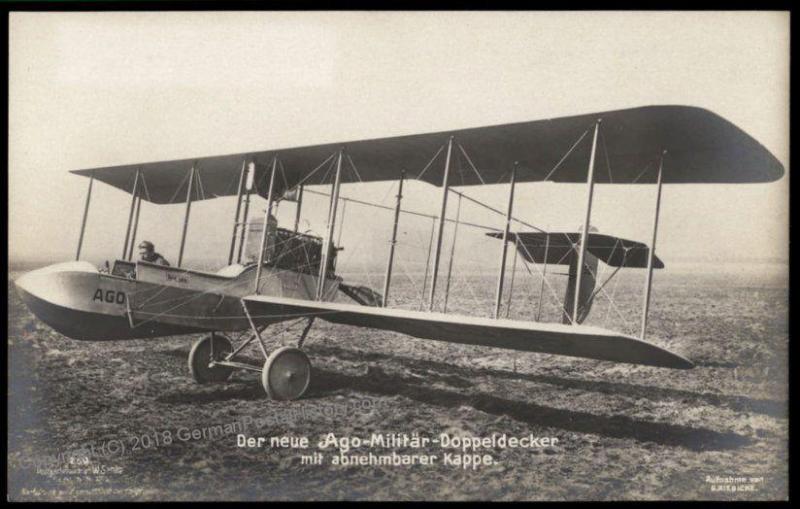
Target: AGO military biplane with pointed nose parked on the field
{"points": [[289, 275]]}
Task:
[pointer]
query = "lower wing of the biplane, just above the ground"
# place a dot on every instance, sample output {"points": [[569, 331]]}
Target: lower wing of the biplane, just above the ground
{"points": [[572, 340]]}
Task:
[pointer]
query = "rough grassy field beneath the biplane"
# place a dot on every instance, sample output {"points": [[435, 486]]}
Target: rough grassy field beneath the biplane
{"points": [[124, 420]]}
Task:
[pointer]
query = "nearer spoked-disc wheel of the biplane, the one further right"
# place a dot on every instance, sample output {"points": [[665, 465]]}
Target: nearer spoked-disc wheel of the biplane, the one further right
{"points": [[286, 374]]}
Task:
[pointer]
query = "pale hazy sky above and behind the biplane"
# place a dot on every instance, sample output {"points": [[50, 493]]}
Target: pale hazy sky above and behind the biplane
{"points": [[100, 89]]}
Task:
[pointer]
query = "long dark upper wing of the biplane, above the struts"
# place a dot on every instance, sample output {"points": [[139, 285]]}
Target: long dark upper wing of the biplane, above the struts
{"points": [[702, 148]]}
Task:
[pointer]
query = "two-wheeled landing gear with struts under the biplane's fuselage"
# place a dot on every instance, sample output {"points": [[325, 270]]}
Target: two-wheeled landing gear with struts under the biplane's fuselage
{"points": [[285, 375]]}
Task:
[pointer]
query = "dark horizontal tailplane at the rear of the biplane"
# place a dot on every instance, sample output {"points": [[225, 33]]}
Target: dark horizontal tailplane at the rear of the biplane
{"points": [[561, 248]]}
